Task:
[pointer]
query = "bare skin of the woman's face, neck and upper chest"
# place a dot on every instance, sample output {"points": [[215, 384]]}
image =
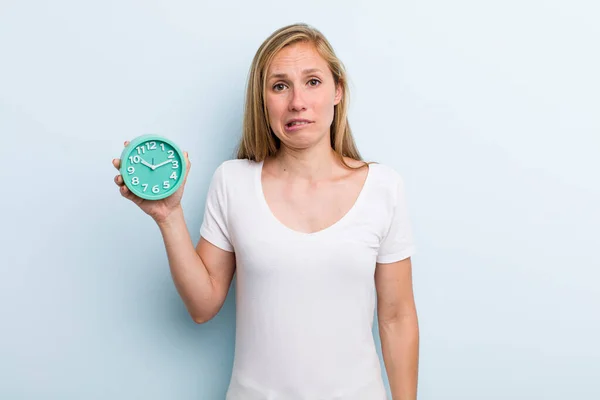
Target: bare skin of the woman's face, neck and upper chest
{"points": [[305, 185]]}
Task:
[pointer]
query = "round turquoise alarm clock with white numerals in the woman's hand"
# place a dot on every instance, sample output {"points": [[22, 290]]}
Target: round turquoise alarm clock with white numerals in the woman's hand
{"points": [[152, 167]]}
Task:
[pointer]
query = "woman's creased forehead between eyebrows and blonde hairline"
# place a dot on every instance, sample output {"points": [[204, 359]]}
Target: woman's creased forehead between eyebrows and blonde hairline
{"points": [[297, 56]]}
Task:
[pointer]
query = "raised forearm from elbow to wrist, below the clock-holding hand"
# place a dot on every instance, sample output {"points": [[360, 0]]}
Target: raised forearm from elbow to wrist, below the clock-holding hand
{"points": [[190, 275]]}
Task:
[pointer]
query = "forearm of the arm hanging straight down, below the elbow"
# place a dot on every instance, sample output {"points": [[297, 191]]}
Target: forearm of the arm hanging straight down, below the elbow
{"points": [[400, 348]]}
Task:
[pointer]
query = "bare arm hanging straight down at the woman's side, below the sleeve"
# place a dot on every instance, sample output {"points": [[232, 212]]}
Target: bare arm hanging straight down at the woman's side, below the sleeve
{"points": [[398, 327]]}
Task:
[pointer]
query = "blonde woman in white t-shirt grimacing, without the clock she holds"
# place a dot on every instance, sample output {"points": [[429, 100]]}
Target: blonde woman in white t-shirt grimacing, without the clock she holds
{"points": [[315, 236]]}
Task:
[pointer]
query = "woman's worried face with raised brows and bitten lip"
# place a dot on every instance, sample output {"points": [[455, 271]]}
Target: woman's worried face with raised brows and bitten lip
{"points": [[300, 96]]}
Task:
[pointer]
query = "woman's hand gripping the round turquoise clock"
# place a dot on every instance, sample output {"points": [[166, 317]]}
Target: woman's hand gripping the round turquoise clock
{"points": [[159, 210]]}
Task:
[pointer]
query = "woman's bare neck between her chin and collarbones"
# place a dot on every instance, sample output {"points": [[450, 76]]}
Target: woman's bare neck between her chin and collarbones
{"points": [[310, 164]]}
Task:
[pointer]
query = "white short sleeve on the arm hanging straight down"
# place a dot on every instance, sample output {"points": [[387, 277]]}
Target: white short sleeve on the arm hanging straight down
{"points": [[398, 243]]}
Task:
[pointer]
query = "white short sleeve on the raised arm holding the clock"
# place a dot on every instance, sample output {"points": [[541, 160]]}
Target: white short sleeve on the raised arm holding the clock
{"points": [[214, 225]]}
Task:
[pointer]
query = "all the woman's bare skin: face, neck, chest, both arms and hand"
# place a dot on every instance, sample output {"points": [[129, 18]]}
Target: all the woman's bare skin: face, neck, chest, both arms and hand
{"points": [[307, 189]]}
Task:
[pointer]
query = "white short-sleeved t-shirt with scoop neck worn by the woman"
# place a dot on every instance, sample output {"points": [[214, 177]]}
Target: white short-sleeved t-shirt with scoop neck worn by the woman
{"points": [[305, 302]]}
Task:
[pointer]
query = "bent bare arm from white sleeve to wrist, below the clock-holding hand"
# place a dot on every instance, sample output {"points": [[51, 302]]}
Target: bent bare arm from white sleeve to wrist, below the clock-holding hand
{"points": [[202, 275]]}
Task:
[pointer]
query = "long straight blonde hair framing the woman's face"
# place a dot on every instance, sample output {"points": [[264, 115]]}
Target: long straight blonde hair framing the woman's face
{"points": [[258, 141]]}
